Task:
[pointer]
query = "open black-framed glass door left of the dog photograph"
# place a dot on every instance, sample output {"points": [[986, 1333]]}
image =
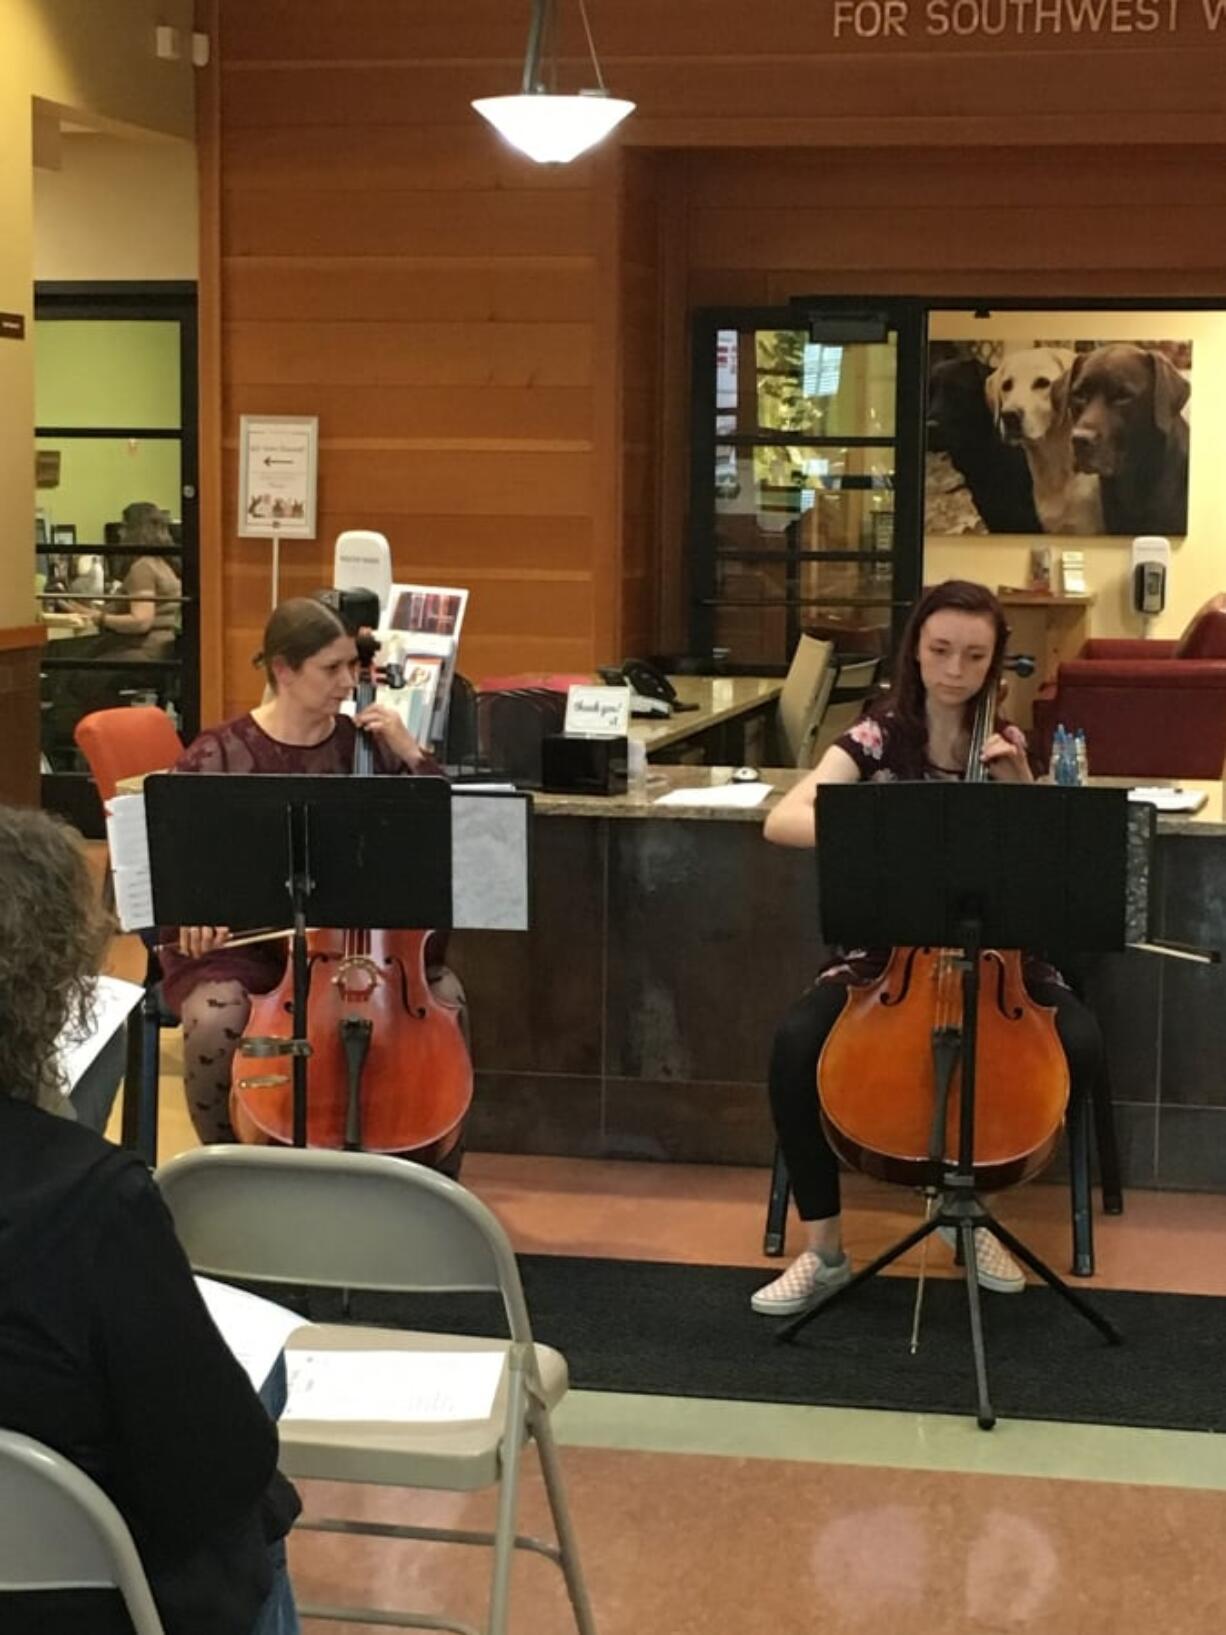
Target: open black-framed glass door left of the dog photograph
{"points": [[807, 480]]}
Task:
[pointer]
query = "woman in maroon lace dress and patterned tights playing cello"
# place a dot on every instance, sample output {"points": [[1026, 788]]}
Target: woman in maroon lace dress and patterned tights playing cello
{"points": [[310, 661]]}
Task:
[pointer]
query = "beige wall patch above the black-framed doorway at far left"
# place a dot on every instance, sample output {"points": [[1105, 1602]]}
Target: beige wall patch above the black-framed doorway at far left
{"points": [[117, 208]]}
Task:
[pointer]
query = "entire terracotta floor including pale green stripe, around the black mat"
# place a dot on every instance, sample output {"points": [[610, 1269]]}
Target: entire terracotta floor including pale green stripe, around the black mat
{"points": [[702, 1518]]}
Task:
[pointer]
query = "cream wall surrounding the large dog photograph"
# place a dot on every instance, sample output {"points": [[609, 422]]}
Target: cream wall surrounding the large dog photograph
{"points": [[1199, 562]]}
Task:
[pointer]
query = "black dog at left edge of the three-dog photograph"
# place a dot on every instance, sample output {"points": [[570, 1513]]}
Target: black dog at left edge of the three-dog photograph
{"points": [[960, 426]]}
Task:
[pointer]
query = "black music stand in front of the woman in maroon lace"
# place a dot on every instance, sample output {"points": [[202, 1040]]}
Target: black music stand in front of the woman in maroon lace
{"points": [[300, 851]]}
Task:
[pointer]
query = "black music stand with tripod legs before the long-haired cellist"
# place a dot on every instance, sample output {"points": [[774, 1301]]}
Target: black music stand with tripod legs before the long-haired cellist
{"points": [[970, 867]]}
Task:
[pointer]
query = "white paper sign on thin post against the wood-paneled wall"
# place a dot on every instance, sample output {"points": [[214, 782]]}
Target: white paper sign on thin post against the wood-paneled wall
{"points": [[279, 478]]}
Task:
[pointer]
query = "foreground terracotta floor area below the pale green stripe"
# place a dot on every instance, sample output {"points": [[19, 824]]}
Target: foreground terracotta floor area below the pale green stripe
{"points": [[697, 1546]]}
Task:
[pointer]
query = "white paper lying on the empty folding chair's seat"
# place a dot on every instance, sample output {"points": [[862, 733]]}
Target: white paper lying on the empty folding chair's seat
{"points": [[398, 1386]]}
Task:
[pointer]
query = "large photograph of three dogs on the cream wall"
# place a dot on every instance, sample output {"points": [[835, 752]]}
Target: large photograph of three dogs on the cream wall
{"points": [[1068, 437]]}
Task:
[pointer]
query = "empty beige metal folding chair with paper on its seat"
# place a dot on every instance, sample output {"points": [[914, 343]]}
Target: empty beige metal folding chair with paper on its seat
{"points": [[362, 1221]]}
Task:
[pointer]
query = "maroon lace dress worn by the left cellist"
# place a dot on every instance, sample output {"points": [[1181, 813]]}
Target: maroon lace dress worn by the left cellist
{"points": [[244, 746]]}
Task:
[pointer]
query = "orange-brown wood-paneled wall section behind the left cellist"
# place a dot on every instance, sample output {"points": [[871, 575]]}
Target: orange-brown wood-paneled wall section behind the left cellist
{"points": [[387, 264]]}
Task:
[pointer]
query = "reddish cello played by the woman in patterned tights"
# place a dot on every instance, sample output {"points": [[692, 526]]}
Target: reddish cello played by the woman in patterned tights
{"points": [[390, 1068]]}
